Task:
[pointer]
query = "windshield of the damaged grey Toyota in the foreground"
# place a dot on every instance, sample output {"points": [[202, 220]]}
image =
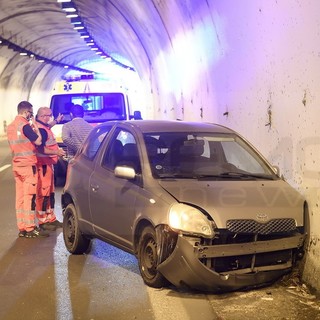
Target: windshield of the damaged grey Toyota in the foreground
{"points": [[204, 155]]}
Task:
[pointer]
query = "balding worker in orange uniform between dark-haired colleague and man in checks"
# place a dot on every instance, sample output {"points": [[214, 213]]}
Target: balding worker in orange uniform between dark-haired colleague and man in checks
{"points": [[47, 155]]}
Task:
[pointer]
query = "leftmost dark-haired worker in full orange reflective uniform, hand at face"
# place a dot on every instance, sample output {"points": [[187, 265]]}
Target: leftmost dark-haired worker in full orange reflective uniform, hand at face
{"points": [[23, 136]]}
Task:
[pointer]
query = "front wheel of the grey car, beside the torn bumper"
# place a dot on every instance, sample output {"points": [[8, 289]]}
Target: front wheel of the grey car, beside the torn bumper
{"points": [[148, 259]]}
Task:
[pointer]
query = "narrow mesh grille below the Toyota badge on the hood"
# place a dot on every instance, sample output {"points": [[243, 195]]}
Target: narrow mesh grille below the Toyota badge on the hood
{"points": [[252, 226]]}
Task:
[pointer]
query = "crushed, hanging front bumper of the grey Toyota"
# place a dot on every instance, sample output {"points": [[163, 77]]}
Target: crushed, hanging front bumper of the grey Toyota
{"points": [[185, 267]]}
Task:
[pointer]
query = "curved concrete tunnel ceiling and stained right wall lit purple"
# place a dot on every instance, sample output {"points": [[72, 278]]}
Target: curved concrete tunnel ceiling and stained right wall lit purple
{"points": [[251, 65]]}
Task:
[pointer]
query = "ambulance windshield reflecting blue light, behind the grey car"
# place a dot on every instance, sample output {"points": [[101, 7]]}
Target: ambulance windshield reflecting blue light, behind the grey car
{"points": [[98, 107]]}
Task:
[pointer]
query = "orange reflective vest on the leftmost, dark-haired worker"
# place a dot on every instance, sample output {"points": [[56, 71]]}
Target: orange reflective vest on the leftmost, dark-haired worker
{"points": [[23, 150]]}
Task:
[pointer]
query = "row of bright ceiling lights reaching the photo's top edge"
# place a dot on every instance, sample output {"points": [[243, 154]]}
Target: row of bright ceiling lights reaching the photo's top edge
{"points": [[69, 7]]}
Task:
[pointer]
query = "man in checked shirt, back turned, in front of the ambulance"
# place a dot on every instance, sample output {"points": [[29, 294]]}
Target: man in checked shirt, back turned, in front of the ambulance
{"points": [[75, 131]]}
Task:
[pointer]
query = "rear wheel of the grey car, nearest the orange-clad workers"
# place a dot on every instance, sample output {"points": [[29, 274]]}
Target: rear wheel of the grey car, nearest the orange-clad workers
{"points": [[74, 240]]}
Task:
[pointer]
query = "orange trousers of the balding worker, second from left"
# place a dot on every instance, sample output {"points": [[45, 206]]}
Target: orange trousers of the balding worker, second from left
{"points": [[45, 194]]}
